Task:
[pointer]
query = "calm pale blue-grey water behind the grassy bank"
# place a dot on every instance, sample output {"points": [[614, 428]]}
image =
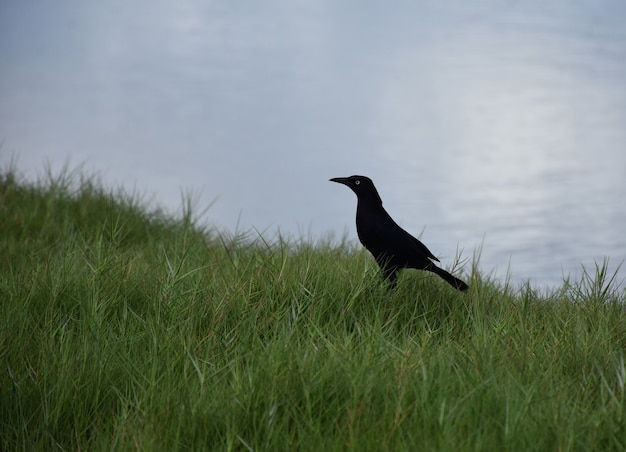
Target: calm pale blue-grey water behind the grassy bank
{"points": [[498, 124]]}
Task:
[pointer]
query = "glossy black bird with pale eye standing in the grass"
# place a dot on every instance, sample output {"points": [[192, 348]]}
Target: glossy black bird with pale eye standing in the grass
{"points": [[392, 247]]}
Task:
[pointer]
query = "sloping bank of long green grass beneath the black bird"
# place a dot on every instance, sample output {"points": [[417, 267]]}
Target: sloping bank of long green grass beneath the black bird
{"points": [[124, 329]]}
